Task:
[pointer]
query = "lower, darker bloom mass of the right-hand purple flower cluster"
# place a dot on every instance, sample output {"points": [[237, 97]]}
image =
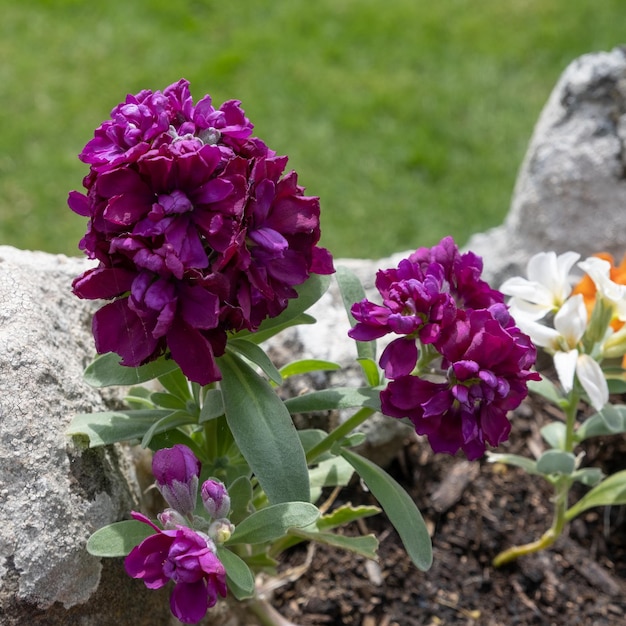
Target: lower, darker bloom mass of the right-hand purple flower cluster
{"points": [[484, 370]]}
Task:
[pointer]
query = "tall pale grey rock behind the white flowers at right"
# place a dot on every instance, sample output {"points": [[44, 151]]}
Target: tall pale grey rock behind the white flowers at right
{"points": [[571, 189]]}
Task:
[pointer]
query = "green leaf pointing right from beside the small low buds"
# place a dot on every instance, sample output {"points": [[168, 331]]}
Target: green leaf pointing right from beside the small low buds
{"points": [[273, 522]]}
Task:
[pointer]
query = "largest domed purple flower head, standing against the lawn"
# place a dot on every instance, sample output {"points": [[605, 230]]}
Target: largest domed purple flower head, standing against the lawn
{"points": [[197, 229]]}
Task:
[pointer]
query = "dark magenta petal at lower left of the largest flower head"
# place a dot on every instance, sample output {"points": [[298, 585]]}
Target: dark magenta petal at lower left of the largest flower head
{"points": [[117, 328]]}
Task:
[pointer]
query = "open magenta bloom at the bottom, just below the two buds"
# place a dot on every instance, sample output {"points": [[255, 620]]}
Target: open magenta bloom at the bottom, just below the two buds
{"points": [[186, 557]]}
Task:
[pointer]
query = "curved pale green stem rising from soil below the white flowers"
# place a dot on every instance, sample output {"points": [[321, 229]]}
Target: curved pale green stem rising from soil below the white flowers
{"points": [[561, 487]]}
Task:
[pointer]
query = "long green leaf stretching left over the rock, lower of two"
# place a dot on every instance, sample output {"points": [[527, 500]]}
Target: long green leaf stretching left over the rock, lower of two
{"points": [[113, 426]]}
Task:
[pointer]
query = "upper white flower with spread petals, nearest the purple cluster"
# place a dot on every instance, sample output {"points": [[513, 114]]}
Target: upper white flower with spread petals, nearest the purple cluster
{"points": [[547, 287]]}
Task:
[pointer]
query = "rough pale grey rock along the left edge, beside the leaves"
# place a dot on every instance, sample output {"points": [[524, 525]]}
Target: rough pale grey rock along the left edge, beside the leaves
{"points": [[53, 494]]}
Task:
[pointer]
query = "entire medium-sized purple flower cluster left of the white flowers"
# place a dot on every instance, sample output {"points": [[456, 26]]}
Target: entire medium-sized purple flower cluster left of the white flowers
{"points": [[460, 363]]}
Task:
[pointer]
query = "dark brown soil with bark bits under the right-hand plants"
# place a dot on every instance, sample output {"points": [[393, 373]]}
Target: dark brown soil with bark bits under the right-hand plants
{"points": [[474, 510]]}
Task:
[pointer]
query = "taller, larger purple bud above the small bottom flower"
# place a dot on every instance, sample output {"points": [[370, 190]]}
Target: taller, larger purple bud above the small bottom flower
{"points": [[176, 471]]}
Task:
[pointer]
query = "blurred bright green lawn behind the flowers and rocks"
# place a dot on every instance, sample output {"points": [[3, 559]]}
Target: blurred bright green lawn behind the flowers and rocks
{"points": [[410, 118]]}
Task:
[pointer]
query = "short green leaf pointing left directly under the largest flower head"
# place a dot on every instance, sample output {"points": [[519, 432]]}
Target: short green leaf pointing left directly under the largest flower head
{"points": [[105, 370]]}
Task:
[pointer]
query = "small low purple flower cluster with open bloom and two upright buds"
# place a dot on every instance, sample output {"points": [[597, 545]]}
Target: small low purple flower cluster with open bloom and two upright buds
{"points": [[184, 551]]}
